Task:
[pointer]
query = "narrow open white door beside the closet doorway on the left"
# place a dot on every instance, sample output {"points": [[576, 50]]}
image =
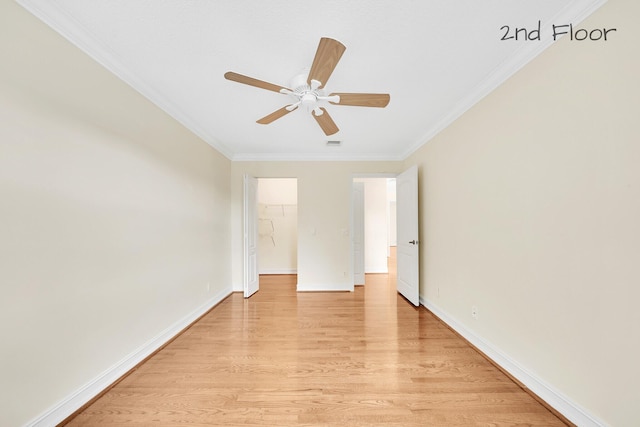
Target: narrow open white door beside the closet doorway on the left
{"points": [[250, 226]]}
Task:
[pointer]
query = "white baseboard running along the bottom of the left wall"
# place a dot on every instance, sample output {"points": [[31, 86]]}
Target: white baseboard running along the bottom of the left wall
{"points": [[74, 401]]}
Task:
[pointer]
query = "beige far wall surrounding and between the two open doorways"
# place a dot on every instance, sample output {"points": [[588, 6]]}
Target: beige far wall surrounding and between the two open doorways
{"points": [[324, 194]]}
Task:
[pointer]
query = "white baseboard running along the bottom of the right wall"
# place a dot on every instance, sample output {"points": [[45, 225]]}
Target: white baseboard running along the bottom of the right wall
{"points": [[546, 392]]}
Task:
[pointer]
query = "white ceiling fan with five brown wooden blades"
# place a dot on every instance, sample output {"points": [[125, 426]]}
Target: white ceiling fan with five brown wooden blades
{"points": [[309, 89]]}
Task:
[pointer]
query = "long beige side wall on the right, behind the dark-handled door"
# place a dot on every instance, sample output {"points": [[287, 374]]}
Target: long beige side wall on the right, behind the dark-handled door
{"points": [[530, 210]]}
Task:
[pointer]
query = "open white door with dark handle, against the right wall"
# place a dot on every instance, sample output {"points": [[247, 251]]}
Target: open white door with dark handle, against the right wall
{"points": [[407, 235]]}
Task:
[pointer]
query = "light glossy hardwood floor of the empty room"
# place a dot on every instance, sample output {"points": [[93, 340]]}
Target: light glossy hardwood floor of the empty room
{"points": [[283, 358]]}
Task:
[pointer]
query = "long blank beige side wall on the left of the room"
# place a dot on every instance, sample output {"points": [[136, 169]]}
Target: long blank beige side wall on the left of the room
{"points": [[113, 219]]}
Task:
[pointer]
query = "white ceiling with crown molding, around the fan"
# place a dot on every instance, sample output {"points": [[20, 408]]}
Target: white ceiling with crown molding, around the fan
{"points": [[436, 58]]}
